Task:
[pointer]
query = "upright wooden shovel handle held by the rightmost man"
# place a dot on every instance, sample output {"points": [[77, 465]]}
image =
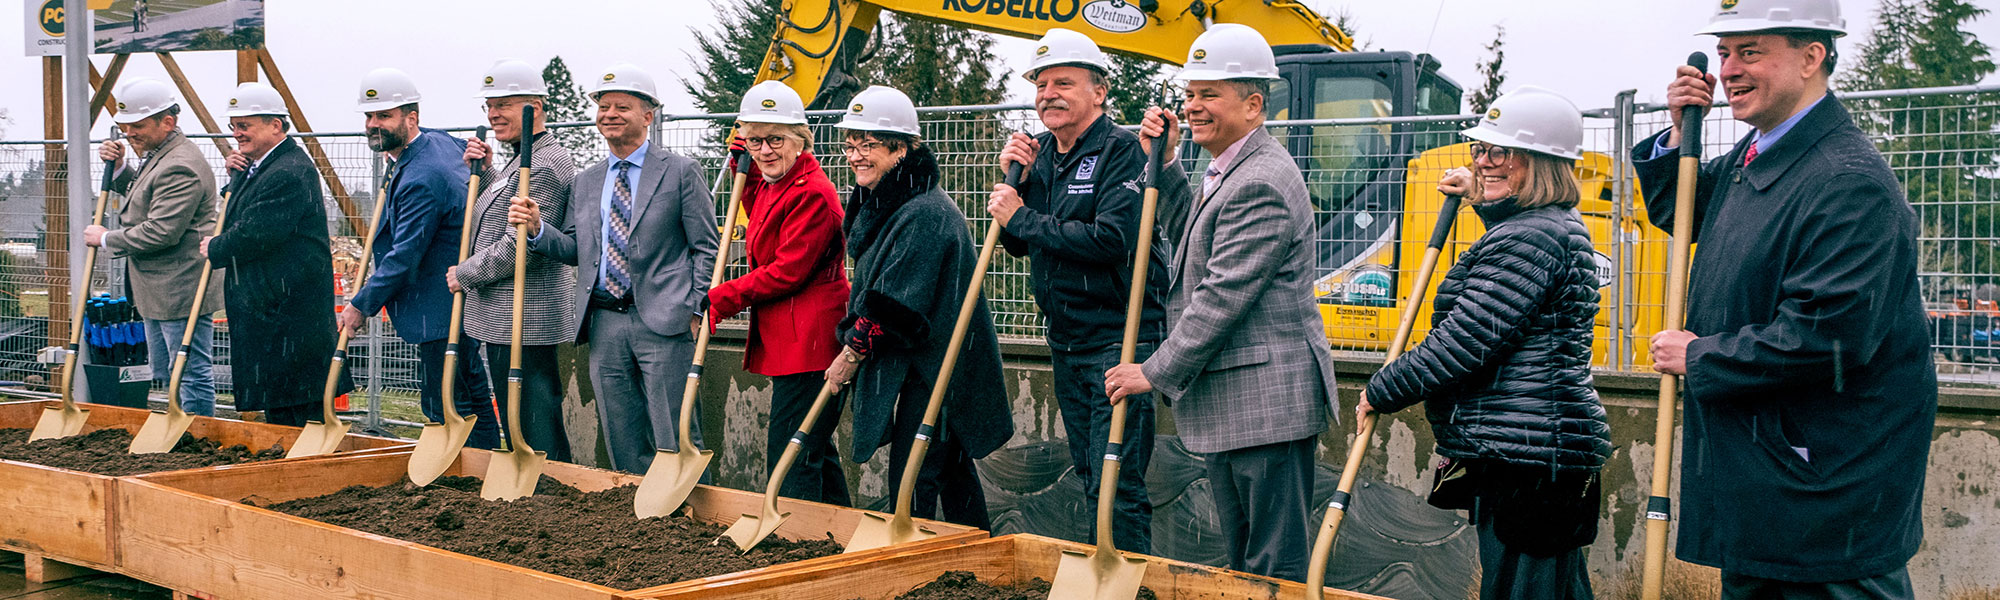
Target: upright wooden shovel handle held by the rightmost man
{"points": [[1659, 507]]}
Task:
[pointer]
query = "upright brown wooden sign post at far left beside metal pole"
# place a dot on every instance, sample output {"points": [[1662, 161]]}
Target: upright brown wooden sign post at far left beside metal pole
{"points": [[55, 207]]}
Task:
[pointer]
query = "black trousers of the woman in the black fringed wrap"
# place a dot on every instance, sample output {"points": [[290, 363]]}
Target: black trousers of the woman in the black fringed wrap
{"points": [[947, 481]]}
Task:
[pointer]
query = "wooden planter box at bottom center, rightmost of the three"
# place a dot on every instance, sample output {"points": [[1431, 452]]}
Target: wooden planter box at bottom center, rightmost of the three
{"points": [[999, 561]]}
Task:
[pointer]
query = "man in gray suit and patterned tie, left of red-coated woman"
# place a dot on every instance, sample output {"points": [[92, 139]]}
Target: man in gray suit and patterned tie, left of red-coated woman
{"points": [[643, 235]]}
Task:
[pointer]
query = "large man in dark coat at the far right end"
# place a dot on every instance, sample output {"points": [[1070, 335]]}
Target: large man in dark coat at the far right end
{"points": [[1811, 389]]}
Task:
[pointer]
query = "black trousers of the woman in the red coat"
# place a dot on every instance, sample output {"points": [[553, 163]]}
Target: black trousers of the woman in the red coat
{"points": [[817, 475]]}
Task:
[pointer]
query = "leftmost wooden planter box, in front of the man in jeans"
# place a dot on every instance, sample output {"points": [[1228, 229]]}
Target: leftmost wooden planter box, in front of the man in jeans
{"points": [[71, 517]]}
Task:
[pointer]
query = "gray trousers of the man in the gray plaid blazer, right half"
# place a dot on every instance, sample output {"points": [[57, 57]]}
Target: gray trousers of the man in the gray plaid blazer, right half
{"points": [[1263, 501]]}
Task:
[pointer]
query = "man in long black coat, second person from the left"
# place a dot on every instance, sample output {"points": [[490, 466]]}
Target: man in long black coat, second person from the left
{"points": [[277, 267]]}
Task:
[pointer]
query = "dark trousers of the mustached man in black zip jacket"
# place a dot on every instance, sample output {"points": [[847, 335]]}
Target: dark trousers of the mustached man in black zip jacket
{"points": [[1087, 419]]}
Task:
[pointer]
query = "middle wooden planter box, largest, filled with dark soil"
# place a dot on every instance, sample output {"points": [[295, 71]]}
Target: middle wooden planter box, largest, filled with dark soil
{"points": [[223, 549]]}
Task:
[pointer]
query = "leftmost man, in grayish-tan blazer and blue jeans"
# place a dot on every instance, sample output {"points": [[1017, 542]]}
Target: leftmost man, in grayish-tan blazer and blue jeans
{"points": [[171, 207]]}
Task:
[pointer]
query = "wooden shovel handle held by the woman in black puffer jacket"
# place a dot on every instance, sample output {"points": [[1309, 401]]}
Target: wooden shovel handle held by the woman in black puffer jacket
{"points": [[1323, 545]]}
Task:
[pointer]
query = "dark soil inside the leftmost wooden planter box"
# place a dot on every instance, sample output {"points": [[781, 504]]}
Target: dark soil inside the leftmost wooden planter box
{"points": [[109, 453]]}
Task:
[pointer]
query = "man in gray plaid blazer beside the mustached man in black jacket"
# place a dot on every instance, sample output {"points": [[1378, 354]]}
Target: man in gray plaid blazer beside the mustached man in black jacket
{"points": [[1245, 363]]}
